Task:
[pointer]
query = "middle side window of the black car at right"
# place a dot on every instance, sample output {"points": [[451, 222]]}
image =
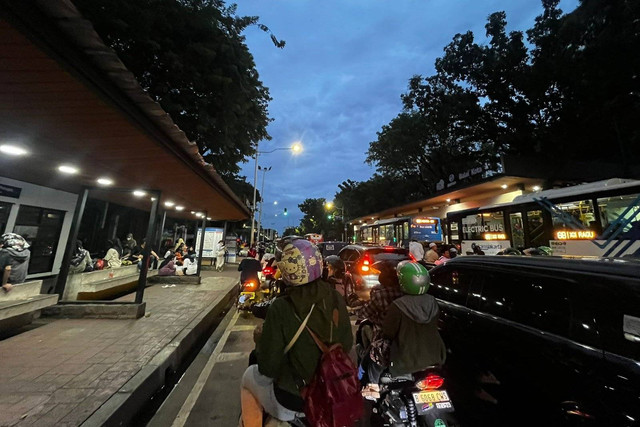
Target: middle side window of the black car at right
{"points": [[539, 302]]}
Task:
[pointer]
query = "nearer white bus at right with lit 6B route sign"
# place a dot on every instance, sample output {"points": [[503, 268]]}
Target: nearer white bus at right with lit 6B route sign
{"points": [[596, 219]]}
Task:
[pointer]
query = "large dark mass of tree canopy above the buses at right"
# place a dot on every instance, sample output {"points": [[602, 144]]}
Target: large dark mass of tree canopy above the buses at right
{"points": [[566, 89]]}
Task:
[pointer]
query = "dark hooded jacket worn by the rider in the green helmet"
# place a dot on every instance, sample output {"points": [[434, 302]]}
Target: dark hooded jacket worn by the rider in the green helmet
{"points": [[411, 325]]}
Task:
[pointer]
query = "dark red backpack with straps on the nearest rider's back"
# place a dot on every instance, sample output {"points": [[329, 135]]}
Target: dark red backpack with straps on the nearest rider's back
{"points": [[332, 398]]}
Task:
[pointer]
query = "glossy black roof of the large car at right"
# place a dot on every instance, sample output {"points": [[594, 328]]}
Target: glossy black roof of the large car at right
{"points": [[609, 266]]}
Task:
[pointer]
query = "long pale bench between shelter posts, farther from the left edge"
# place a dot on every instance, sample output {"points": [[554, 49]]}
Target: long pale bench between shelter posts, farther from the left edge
{"points": [[102, 284]]}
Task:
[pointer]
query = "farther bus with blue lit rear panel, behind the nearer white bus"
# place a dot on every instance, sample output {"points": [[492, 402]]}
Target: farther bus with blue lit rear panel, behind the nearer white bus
{"points": [[399, 231]]}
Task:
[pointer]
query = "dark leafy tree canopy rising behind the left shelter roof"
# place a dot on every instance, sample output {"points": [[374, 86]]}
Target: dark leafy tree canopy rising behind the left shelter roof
{"points": [[191, 57]]}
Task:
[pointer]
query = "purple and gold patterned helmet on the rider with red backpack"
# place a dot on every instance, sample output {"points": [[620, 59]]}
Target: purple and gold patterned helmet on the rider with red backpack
{"points": [[300, 262]]}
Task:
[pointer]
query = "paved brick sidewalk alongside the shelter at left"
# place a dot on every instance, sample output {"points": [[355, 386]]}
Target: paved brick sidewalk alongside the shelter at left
{"points": [[61, 373]]}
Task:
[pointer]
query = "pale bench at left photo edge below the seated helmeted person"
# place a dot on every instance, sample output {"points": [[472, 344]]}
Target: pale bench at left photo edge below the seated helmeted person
{"points": [[23, 304]]}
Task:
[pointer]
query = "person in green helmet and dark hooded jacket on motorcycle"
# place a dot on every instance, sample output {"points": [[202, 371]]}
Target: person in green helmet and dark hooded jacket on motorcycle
{"points": [[410, 327]]}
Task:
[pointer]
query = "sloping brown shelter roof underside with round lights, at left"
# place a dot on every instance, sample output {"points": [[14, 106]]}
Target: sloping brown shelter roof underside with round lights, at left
{"points": [[67, 99]]}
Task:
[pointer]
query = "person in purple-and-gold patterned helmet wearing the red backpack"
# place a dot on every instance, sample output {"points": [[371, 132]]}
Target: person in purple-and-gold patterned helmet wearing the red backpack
{"points": [[274, 384]]}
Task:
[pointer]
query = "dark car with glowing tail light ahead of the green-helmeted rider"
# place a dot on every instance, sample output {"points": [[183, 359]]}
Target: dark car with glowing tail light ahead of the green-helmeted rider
{"points": [[361, 274]]}
